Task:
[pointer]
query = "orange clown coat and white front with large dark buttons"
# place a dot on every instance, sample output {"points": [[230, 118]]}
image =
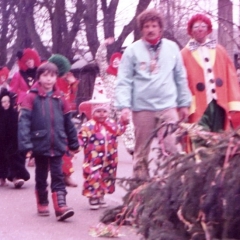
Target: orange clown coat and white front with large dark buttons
{"points": [[211, 77]]}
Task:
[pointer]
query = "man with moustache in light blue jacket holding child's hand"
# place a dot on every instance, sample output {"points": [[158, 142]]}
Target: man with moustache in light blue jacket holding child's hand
{"points": [[152, 84]]}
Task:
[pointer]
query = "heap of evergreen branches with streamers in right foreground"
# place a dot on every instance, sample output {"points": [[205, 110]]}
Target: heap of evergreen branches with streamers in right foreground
{"points": [[193, 196]]}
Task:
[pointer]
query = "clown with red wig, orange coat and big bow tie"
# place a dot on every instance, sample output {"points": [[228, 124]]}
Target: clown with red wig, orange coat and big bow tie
{"points": [[211, 77]]}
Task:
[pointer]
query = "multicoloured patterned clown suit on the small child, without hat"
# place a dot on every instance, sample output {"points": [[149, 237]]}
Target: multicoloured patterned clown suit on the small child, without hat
{"points": [[100, 156]]}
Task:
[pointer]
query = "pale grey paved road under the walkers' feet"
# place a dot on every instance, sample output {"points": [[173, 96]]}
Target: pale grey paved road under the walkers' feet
{"points": [[19, 220]]}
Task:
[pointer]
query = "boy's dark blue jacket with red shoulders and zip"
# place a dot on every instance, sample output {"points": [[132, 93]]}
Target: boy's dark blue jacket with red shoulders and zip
{"points": [[45, 124]]}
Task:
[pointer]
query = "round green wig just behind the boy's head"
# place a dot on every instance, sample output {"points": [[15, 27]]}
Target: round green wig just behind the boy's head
{"points": [[61, 62]]}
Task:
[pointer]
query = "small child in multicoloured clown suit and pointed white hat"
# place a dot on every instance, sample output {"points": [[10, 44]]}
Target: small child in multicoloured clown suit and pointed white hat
{"points": [[98, 137]]}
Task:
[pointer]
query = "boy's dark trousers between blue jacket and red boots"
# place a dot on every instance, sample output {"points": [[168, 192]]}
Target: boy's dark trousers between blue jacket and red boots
{"points": [[43, 165]]}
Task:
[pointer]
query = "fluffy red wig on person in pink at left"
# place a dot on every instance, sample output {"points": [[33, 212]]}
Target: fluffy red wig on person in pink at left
{"points": [[25, 55]]}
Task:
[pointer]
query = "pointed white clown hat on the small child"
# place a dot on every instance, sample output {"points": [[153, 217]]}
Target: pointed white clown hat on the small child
{"points": [[98, 101]]}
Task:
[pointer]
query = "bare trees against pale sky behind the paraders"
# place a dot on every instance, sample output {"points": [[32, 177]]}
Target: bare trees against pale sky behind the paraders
{"points": [[72, 26]]}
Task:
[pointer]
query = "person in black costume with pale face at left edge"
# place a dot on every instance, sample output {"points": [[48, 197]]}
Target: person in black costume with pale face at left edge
{"points": [[12, 163]]}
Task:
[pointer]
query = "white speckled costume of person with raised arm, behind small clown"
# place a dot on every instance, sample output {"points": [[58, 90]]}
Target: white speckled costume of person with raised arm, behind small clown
{"points": [[109, 76]]}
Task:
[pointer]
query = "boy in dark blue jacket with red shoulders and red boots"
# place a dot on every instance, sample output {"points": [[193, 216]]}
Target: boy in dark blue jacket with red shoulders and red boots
{"points": [[46, 130]]}
